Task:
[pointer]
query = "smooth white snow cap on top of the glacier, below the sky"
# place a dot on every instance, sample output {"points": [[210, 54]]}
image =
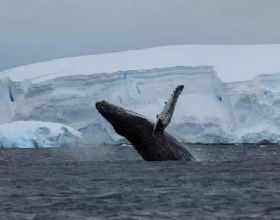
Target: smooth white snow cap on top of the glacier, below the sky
{"points": [[231, 62]]}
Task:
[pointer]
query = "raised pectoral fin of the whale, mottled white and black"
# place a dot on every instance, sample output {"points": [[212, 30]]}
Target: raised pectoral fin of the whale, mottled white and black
{"points": [[164, 118]]}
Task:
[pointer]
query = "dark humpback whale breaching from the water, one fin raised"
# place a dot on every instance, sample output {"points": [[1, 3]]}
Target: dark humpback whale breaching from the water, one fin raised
{"points": [[149, 139]]}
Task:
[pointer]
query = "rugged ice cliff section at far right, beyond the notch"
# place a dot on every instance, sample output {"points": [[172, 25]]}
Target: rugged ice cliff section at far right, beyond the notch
{"points": [[256, 109]]}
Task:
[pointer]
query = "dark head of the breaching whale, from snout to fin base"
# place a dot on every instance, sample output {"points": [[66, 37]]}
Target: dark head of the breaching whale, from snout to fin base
{"points": [[126, 123]]}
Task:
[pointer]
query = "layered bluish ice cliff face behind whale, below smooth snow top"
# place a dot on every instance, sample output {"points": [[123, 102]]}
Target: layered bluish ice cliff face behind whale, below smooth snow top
{"points": [[208, 111]]}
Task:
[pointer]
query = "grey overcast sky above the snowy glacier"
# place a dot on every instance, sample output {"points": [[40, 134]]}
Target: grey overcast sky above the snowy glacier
{"points": [[38, 30]]}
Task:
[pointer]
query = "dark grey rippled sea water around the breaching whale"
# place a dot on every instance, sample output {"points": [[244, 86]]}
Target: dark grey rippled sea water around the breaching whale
{"points": [[110, 182]]}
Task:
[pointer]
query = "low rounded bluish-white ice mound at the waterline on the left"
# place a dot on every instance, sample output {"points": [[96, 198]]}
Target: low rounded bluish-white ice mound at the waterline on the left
{"points": [[36, 134]]}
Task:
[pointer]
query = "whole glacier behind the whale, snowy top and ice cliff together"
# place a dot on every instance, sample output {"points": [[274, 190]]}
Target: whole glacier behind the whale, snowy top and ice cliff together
{"points": [[209, 109]]}
